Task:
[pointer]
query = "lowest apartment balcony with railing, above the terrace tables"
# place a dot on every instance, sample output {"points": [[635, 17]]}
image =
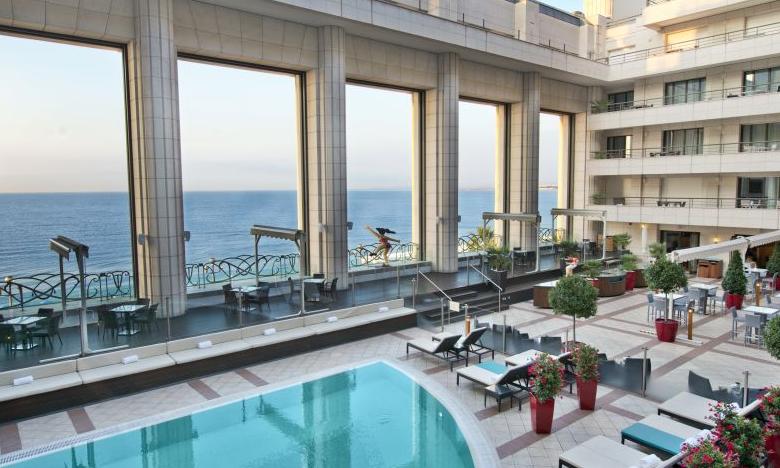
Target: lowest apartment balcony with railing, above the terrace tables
{"points": [[753, 213]]}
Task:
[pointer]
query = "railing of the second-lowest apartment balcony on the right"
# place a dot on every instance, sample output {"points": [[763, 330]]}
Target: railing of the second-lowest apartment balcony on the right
{"points": [[692, 150]]}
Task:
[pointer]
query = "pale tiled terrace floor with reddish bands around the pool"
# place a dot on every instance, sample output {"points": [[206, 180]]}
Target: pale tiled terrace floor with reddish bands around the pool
{"points": [[616, 330]]}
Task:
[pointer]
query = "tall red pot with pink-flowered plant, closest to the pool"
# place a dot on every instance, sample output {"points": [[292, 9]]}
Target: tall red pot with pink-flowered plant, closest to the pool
{"points": [[545, 384]]}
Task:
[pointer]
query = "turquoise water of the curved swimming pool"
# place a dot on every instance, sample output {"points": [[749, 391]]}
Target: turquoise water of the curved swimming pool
{"points": [[372, 416]]}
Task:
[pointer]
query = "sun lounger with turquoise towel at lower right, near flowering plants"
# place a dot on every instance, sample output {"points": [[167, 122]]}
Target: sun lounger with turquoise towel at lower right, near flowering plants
{"points": [[659, 433]]}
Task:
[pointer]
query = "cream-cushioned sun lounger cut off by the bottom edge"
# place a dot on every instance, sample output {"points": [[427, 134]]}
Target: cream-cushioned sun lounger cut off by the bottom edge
{"points": [[601, 452]]}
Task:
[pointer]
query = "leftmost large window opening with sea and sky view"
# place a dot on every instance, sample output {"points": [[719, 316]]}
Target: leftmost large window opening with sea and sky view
{"points": [[63, 161]]}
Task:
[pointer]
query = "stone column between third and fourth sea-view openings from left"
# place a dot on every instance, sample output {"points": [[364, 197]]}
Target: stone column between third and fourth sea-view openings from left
{"points": [[441, 167]]}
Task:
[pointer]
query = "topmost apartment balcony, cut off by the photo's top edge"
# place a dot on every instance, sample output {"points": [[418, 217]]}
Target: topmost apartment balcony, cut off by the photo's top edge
{"points": [[660, 13]]}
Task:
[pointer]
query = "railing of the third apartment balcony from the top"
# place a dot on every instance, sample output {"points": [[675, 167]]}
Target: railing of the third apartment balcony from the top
{"points": [[688, 98]]}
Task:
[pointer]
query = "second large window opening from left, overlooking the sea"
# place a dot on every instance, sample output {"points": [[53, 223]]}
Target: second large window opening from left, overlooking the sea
{"points": [[239, 145]]}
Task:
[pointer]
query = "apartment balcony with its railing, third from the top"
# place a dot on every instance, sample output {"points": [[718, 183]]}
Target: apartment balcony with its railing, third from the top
{"points": [[707, 105]]}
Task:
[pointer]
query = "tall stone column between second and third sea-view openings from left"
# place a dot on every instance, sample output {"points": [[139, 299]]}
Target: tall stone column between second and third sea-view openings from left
{"points": [[326, 156]]}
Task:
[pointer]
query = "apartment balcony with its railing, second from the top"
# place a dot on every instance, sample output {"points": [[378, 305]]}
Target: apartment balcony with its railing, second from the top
{"points": [[752, 43]]}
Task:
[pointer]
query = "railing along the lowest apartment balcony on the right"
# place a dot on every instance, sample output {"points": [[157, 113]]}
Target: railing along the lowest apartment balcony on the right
{"points": [[688, 202]]}
